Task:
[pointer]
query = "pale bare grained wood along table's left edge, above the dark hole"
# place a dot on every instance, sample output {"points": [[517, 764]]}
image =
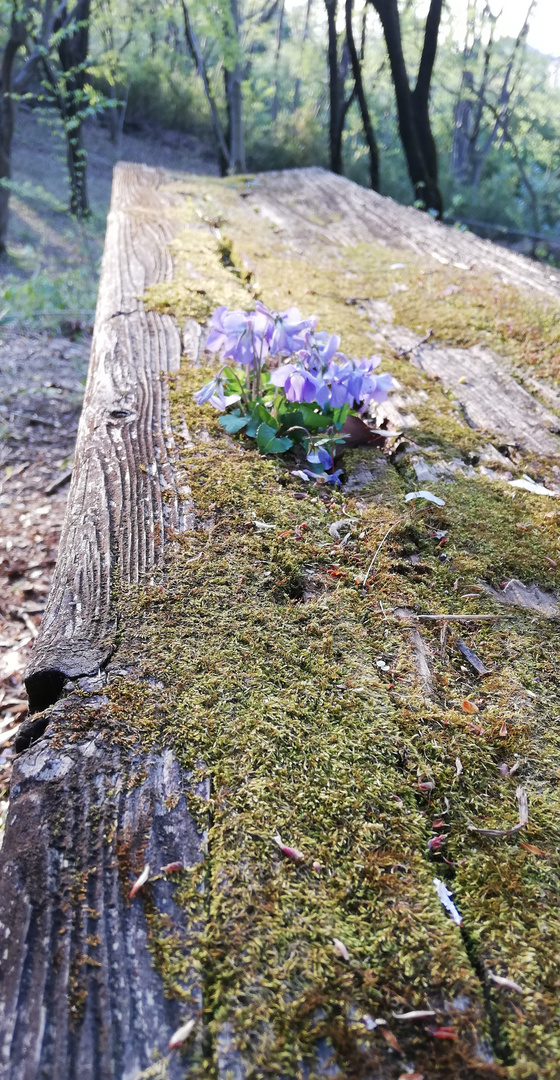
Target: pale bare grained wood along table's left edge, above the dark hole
{"points": [[125, 498]]}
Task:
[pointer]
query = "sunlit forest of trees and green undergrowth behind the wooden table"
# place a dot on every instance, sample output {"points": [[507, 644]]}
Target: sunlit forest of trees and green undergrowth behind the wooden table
{"points": [[446, 106]]}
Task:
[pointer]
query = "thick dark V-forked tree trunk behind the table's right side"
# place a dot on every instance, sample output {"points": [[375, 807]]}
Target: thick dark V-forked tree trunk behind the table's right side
{"points": [[413, 109]]}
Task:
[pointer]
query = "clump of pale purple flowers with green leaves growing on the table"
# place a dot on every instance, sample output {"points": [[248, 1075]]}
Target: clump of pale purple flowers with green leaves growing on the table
{"points": [[285, 382]]}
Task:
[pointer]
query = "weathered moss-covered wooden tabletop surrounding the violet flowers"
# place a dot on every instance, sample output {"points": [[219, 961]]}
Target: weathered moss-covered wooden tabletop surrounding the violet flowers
{"points": [[202, 683]]}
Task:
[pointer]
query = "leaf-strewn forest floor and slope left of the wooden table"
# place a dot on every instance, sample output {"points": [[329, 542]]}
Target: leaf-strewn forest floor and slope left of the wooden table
{"points": [[49, 286]]}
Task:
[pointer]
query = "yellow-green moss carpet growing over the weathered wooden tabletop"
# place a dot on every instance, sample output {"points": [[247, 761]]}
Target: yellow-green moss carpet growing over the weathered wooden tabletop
{"points": [[295, 691]]}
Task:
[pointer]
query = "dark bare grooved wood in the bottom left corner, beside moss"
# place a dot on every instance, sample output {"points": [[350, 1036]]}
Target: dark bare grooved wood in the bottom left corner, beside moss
{"points": [[81, 996]]}
